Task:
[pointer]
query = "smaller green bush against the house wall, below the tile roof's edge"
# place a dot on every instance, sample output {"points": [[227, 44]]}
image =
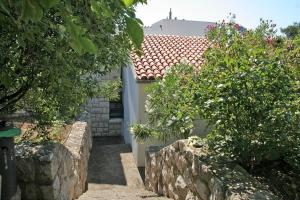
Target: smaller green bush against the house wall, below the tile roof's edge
{"points": [[171, 107]]}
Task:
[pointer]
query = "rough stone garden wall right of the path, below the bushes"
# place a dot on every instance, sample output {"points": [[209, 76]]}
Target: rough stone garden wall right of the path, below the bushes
{"points": [[187, 173]]}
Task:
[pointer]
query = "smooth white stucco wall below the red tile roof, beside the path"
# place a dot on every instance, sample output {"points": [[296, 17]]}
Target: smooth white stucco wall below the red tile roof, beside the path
{"points": [[134, 100]]}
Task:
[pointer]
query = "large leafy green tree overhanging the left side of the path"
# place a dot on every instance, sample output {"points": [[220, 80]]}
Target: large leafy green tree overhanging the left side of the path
{"points": [[52, 52]]}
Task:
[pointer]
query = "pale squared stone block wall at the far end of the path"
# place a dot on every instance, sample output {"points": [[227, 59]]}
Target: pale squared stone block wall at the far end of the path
{"points": [[101, 124]]}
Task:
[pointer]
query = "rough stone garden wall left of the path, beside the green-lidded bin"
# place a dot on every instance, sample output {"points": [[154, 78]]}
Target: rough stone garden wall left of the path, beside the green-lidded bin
{"points": [[55, 171]]}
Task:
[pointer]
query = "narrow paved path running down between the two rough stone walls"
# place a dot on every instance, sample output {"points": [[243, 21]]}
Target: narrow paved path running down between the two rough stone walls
{"points": [[112, 173]]}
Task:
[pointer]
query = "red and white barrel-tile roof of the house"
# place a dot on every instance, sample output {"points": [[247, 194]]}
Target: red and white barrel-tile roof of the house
{"points": [[161, 52]]}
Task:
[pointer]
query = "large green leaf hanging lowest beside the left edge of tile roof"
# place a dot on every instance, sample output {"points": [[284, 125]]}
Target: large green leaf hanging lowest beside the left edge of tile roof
{"points": [[135, 31]]}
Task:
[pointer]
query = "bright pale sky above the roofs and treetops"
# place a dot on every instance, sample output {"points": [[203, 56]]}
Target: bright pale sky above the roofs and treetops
{"points": [[248, 12]]}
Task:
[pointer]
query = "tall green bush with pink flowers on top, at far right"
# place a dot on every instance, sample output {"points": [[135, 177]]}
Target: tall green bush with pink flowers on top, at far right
{"points": [[249, 94]]}
